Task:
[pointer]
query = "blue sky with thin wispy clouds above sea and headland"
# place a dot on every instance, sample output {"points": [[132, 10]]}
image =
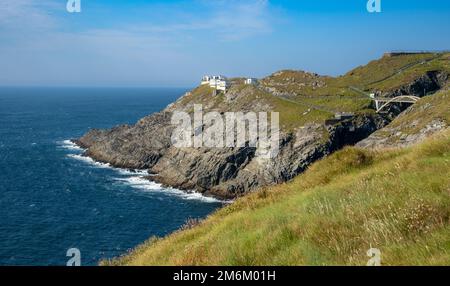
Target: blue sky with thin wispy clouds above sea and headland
{"points": [[173, 43]]}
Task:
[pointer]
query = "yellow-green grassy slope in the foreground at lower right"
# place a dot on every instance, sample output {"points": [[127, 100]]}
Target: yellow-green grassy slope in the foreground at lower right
{"points": [[397, 201]]}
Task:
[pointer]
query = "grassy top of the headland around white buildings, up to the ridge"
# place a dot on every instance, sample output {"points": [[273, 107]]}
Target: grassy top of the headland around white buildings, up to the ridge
{"points": [[302, 97]]}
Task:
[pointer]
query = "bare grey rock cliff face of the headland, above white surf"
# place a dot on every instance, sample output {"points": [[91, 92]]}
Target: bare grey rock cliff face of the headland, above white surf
{"points": [[220, 172]]}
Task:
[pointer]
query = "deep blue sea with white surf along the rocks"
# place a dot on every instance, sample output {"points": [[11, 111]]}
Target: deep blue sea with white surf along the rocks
{"points": [[53, 199]]}
